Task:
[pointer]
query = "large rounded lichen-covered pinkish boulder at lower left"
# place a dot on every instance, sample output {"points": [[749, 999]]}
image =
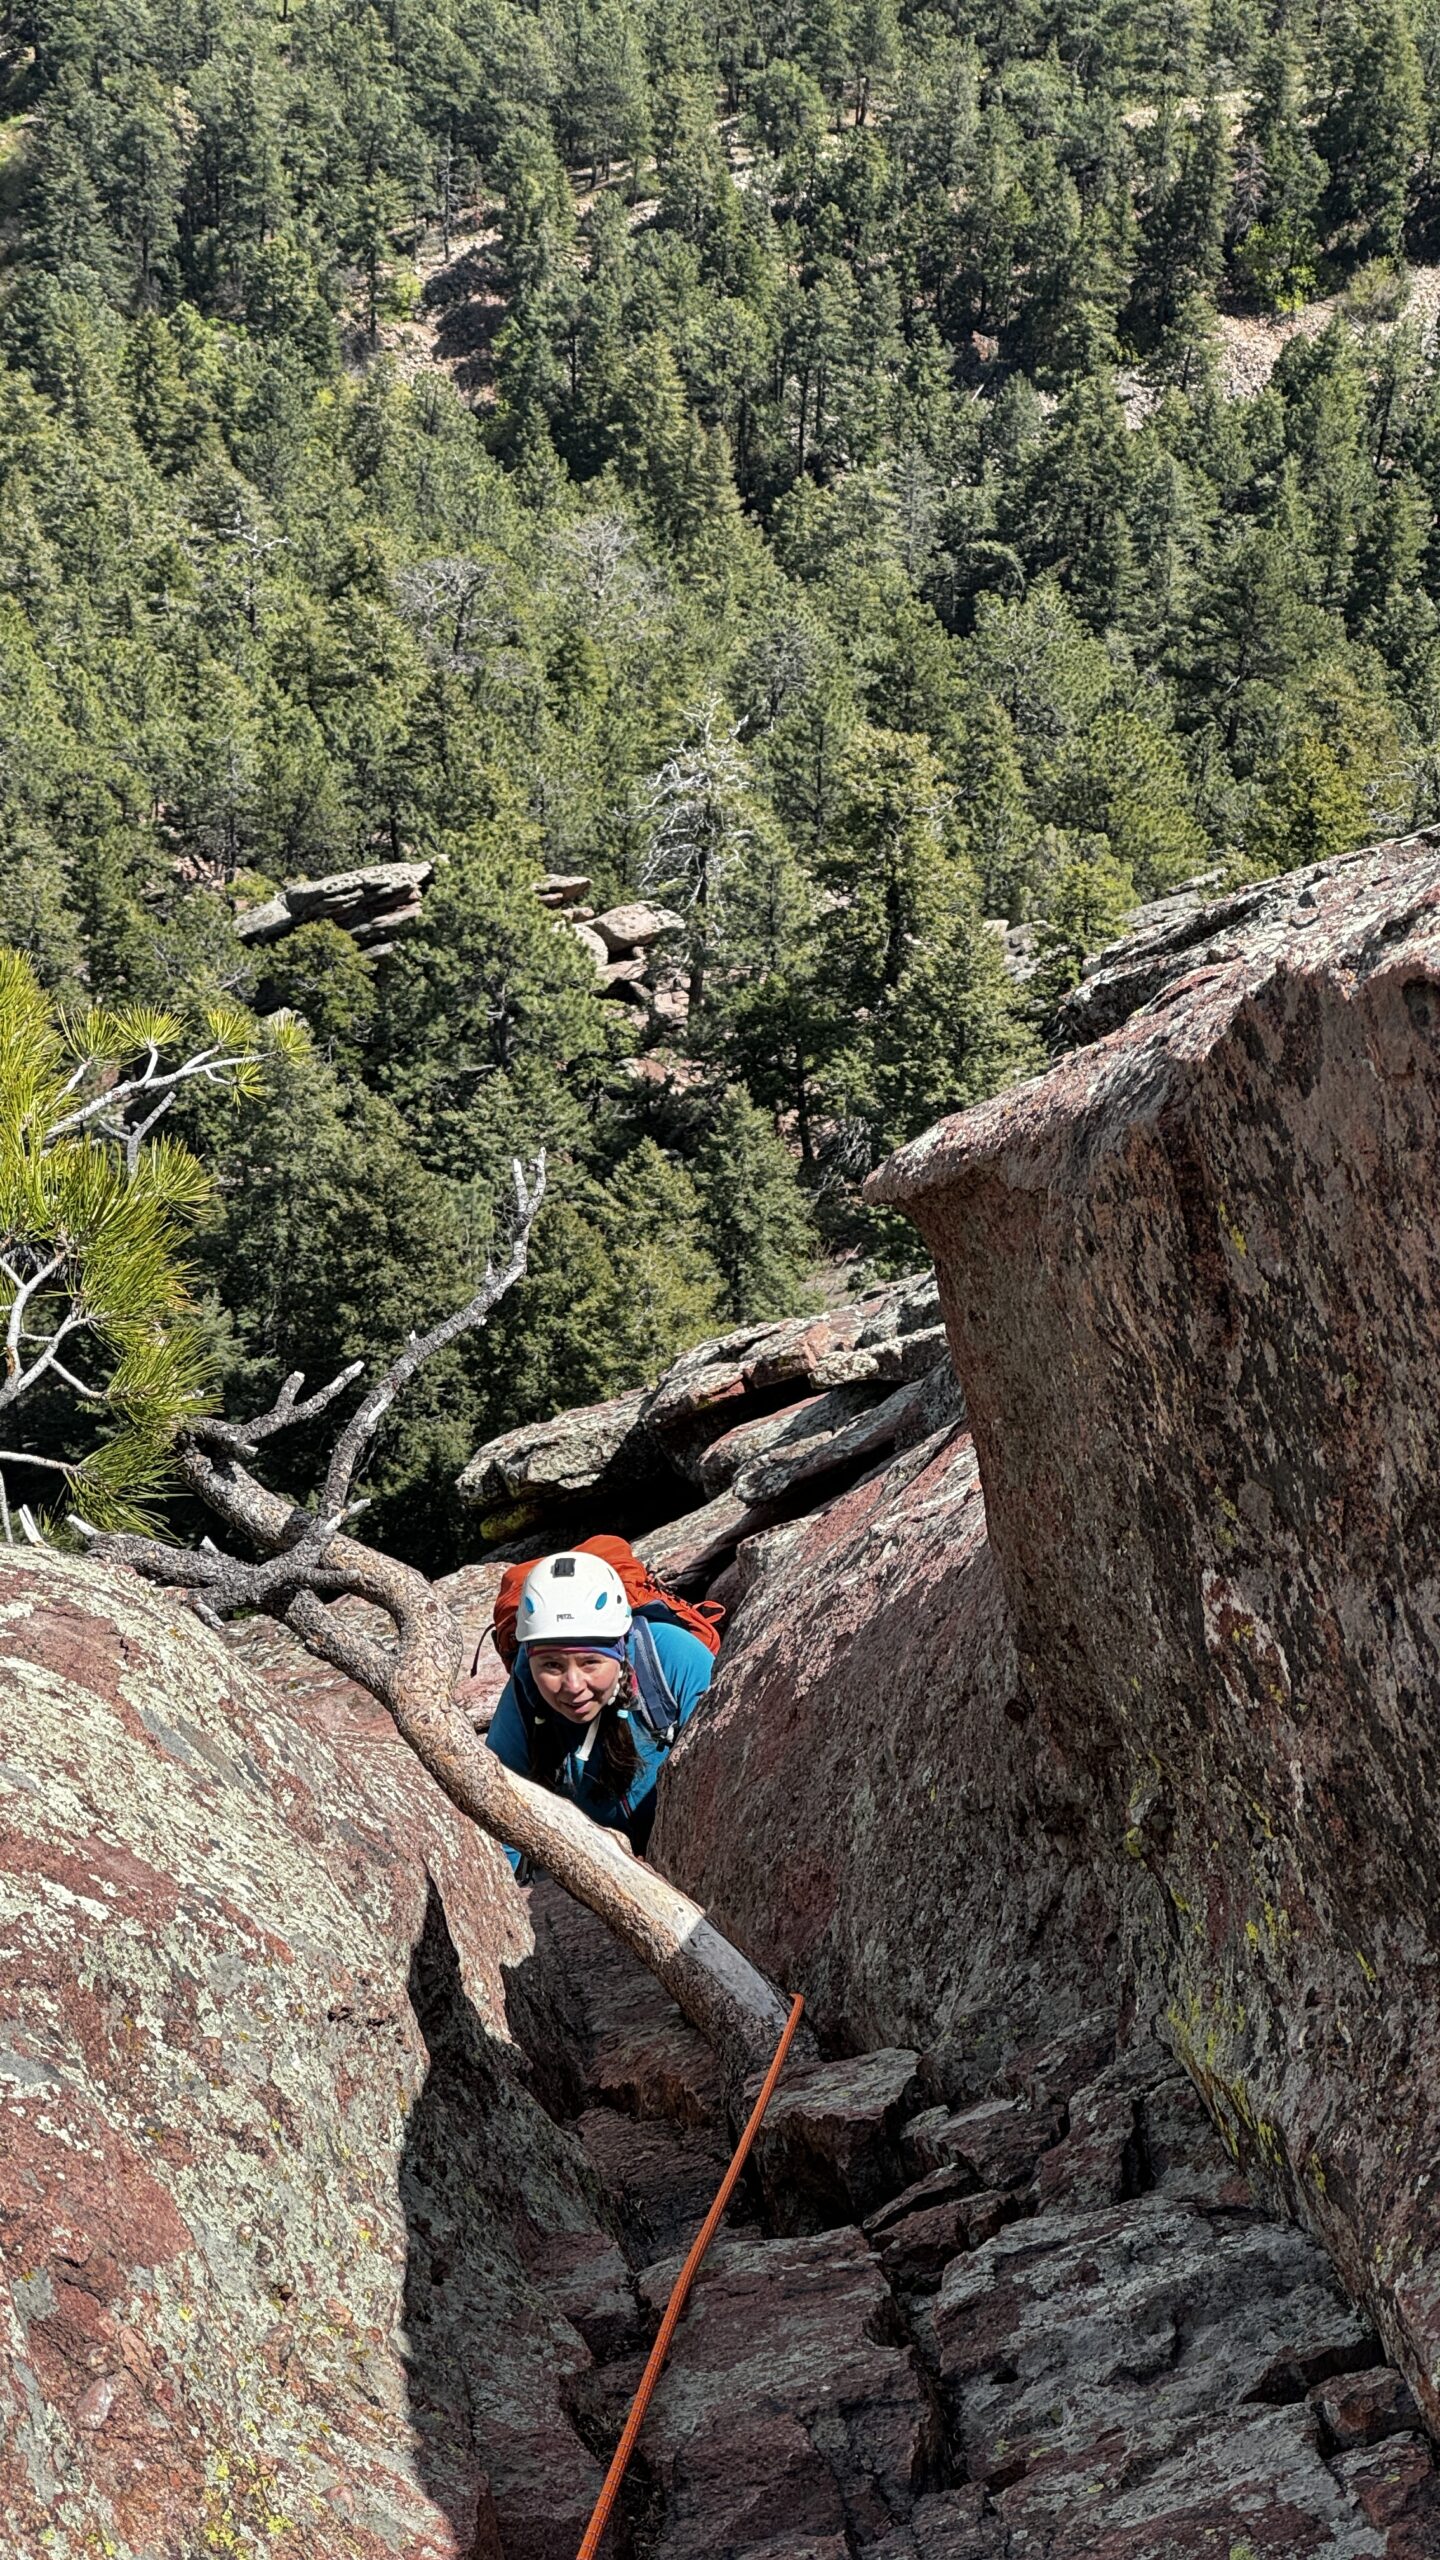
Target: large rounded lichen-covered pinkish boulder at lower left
{"points": [[281, 2221]]}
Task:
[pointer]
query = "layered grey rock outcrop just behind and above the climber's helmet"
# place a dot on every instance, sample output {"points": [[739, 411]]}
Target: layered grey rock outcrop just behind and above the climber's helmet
{"points": [[765, 1422]]}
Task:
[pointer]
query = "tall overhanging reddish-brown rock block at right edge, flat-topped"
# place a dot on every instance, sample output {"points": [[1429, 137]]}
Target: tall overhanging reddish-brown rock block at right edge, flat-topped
{"points": [[1193, 1302]]}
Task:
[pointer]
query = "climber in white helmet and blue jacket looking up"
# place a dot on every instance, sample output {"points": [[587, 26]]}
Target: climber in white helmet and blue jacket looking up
{"points": [[598, 1693]]}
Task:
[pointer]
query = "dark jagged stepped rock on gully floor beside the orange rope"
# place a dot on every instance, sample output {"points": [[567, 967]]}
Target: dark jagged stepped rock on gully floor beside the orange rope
{"points": [[1106, 2354]]}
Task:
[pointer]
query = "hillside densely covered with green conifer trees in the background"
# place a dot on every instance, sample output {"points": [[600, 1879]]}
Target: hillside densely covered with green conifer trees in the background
{"points": [[819, 511]]}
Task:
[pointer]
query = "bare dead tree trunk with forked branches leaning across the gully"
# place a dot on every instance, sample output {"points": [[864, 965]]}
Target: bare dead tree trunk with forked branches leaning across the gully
{"points": [[309, 1563]]}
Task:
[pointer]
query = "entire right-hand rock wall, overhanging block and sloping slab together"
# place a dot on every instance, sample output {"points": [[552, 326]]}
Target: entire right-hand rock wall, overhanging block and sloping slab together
{"points": [[1157, 1737]]}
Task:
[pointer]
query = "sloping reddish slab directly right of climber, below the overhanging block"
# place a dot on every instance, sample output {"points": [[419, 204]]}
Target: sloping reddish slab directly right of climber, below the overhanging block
{"points": [[872, 1798]]}
